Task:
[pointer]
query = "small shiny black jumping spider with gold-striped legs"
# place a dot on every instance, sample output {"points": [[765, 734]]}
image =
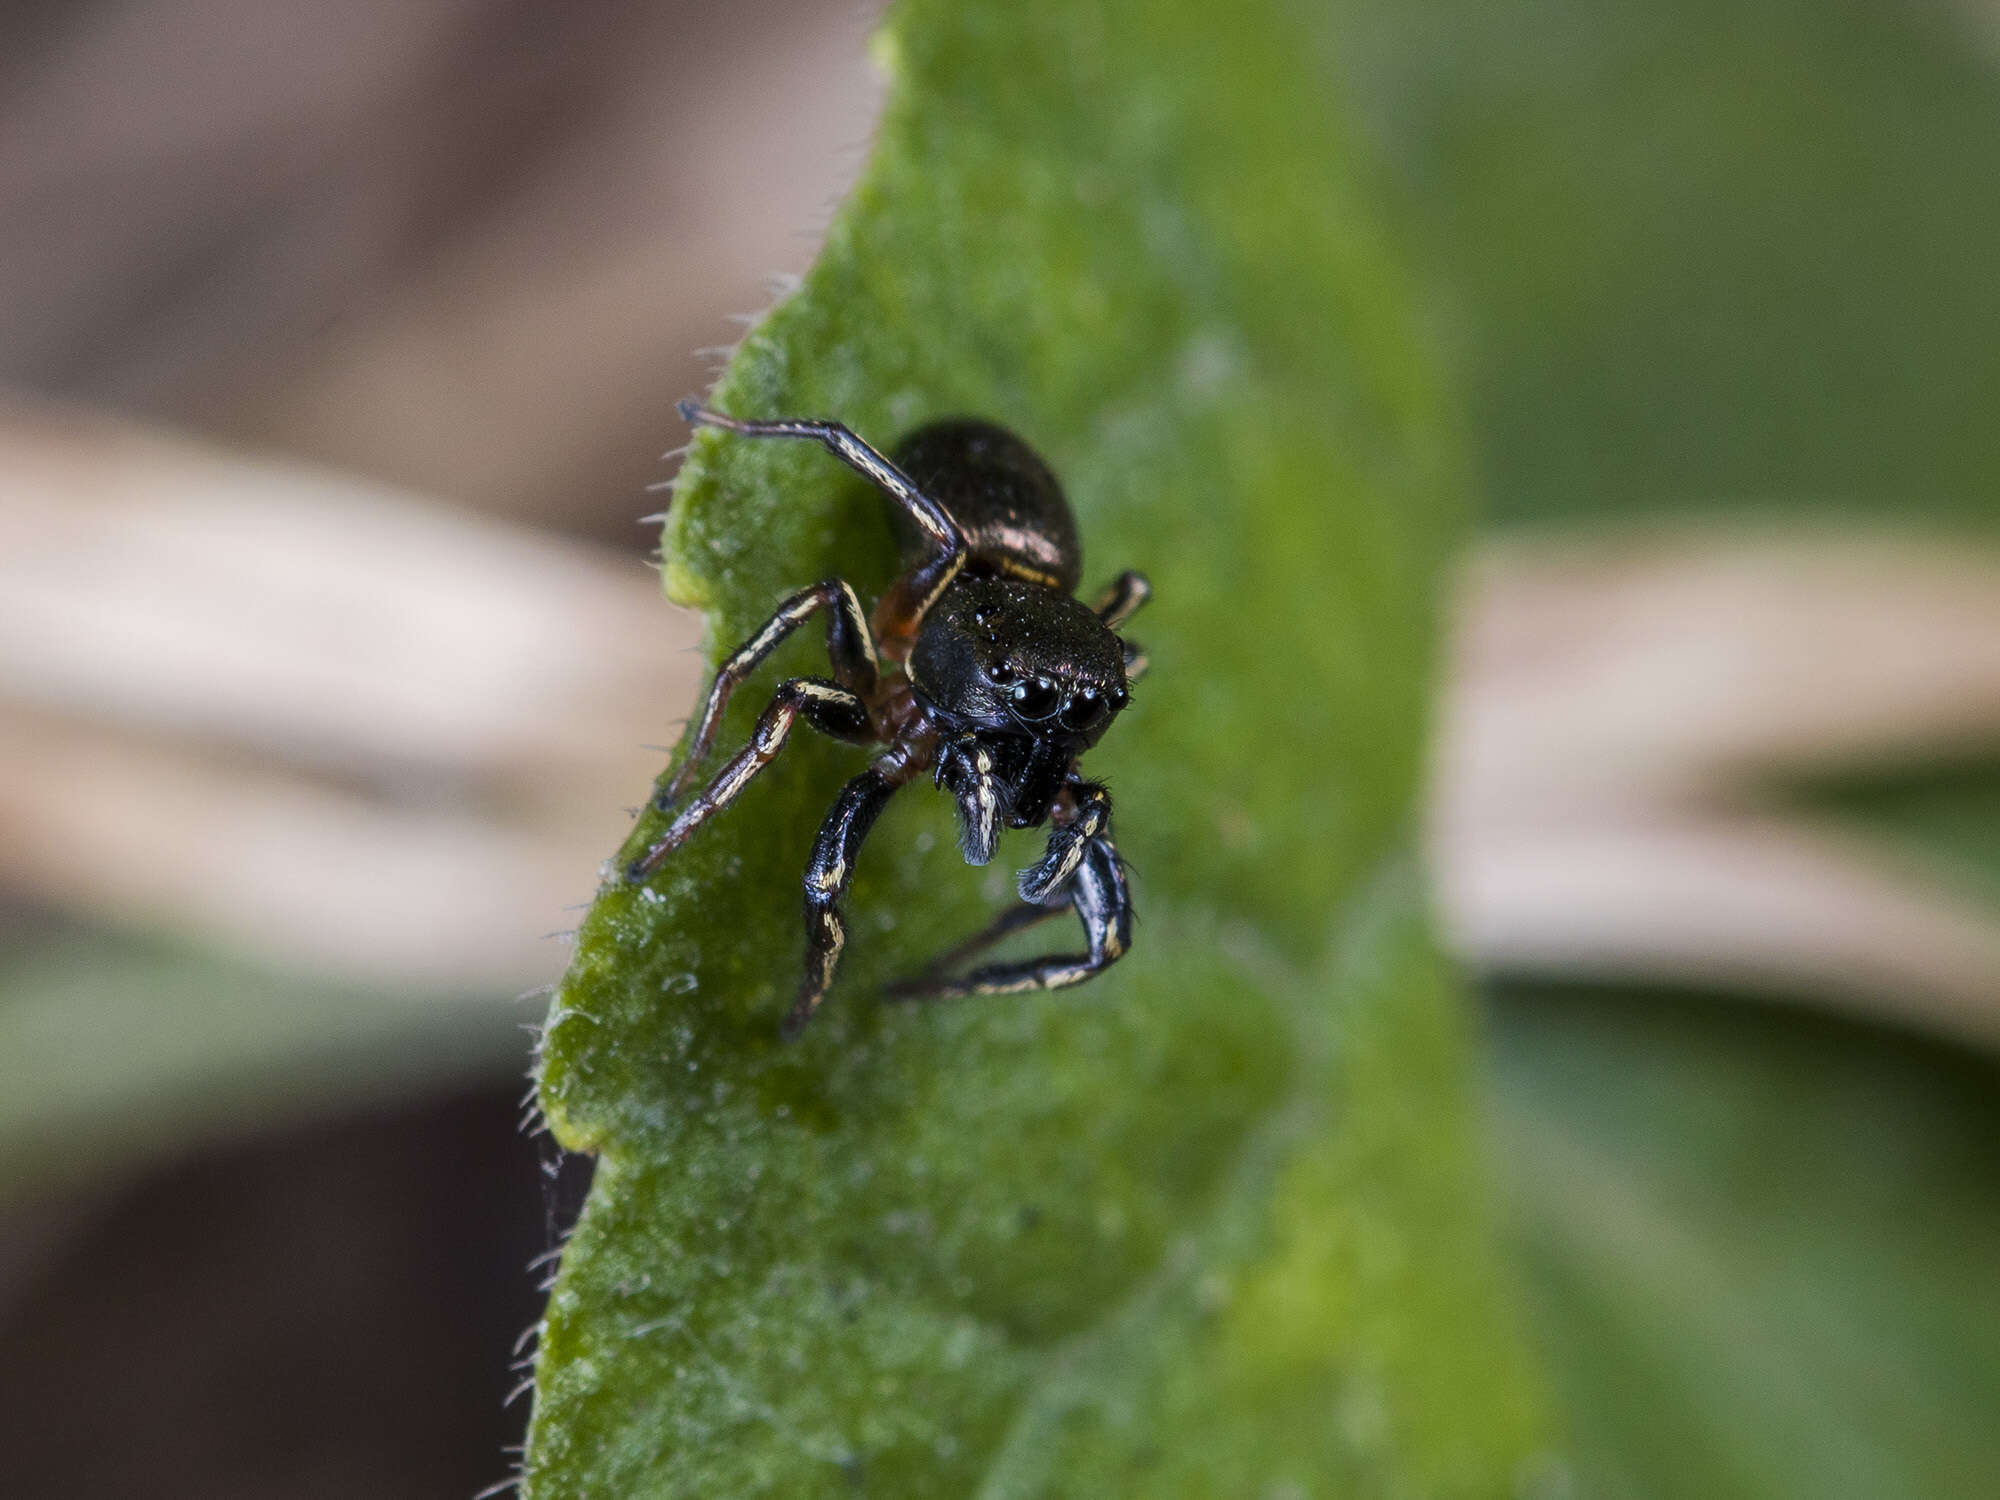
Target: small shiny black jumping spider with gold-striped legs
{"points": [[983, 669]]}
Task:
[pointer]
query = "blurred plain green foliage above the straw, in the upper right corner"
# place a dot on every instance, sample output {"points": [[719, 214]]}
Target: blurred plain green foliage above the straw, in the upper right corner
{"points": [[1707, 257]]}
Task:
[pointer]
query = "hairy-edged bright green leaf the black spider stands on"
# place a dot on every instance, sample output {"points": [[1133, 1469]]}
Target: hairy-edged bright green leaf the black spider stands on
{"points": [[1209, 1225]]}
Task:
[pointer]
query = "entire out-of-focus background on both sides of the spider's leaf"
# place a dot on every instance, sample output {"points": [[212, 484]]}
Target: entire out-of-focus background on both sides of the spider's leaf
{"points": [[337, 367]]}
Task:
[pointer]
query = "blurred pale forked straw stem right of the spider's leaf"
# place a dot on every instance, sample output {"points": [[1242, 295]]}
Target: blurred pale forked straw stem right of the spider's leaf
{"points": [[1623, 713]]}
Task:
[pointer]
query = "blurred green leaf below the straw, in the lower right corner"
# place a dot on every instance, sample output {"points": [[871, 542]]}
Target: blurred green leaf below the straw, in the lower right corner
{"points": [[1761, 1245]]}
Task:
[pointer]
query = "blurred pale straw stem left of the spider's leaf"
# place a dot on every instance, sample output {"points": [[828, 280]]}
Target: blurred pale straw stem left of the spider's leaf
{"points": [[307, 717]]}
